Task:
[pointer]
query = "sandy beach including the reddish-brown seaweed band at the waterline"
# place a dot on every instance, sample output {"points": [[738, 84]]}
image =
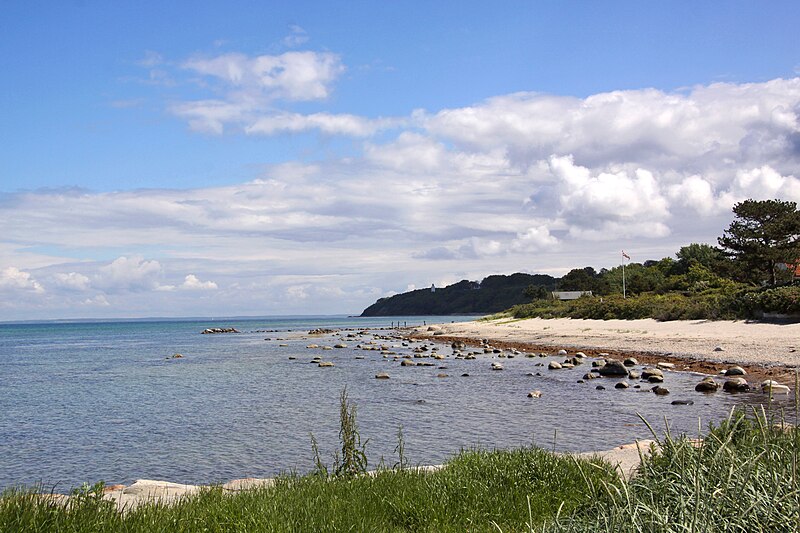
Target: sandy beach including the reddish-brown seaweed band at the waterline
{"points": [[768, 350]]}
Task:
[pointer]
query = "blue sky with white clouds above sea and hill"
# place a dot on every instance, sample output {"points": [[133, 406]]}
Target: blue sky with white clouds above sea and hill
{"points": [[164, 159]]}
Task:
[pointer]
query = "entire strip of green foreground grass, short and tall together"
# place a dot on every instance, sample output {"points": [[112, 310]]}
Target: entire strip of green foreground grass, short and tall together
{"points": [[742, 476]]}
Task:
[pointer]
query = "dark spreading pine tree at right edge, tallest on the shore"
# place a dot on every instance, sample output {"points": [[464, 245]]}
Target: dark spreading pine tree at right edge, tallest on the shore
{"points": [[763, 235]]}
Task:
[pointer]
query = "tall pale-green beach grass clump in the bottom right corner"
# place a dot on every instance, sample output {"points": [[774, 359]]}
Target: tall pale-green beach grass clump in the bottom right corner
{"points": [[741, 477]]}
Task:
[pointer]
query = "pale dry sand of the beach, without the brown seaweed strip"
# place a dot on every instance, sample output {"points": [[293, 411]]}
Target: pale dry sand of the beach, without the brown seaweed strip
{"points": [[741, 341]]}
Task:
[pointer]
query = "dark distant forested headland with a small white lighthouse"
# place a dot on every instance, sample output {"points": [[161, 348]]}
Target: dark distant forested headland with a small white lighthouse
{"points": [[493, 294]]}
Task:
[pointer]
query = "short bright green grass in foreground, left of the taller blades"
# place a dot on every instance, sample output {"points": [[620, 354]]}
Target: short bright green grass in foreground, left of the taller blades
{"points": [[477, 491]]}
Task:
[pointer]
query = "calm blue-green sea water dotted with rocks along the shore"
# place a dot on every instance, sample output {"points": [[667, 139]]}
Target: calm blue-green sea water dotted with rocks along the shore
{"points": [[84, 402]]}
